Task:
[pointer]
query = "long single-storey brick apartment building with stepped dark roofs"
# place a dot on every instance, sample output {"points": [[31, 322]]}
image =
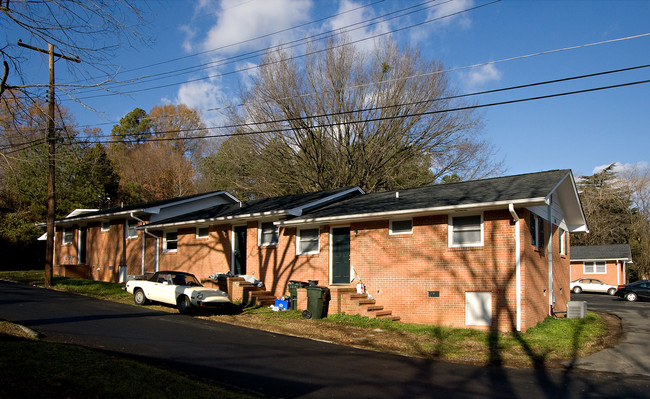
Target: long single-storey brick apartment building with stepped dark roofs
{"points": [[486, 254]]}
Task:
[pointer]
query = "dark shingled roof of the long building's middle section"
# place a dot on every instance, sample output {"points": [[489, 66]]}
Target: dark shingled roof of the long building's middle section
{"points": [[267, 205]]}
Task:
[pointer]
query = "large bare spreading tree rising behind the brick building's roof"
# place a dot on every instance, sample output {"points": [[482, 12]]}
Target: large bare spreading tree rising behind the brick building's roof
{"points": [[374, 119]]}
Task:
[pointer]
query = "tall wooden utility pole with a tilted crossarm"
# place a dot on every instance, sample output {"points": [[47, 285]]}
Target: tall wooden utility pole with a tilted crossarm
{"points": [[51, 157]]}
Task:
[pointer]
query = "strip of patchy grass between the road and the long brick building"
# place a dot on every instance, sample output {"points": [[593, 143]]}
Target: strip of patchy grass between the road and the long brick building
{"points": [[546, 345]]}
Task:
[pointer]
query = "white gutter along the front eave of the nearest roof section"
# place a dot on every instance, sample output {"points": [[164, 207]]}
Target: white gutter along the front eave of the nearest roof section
{"points": [[439, 209]]}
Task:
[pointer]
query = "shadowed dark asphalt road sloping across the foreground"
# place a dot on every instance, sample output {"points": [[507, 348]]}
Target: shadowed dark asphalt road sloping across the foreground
{"points": [[281, 366]]}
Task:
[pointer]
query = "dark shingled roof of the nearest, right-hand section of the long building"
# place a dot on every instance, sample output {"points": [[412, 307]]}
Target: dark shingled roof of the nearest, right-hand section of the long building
{"points": [[525, 186]]}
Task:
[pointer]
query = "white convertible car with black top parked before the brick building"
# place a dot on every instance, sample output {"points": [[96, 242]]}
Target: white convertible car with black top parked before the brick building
{"points": [[175, 288]]}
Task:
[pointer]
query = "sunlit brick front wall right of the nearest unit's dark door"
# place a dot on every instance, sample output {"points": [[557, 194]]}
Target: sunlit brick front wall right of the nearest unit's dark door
{"points": [[399, 270]]}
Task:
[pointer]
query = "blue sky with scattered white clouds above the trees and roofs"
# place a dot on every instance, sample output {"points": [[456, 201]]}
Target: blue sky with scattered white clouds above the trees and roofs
{"points": [[484, 44]]}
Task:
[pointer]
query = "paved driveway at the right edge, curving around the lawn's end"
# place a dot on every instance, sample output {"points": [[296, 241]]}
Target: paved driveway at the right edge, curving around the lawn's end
{"points": [[632, 354]]}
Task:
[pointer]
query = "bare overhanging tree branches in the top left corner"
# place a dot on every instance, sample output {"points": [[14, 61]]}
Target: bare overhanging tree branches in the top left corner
{"points": [[90, 30]]}
